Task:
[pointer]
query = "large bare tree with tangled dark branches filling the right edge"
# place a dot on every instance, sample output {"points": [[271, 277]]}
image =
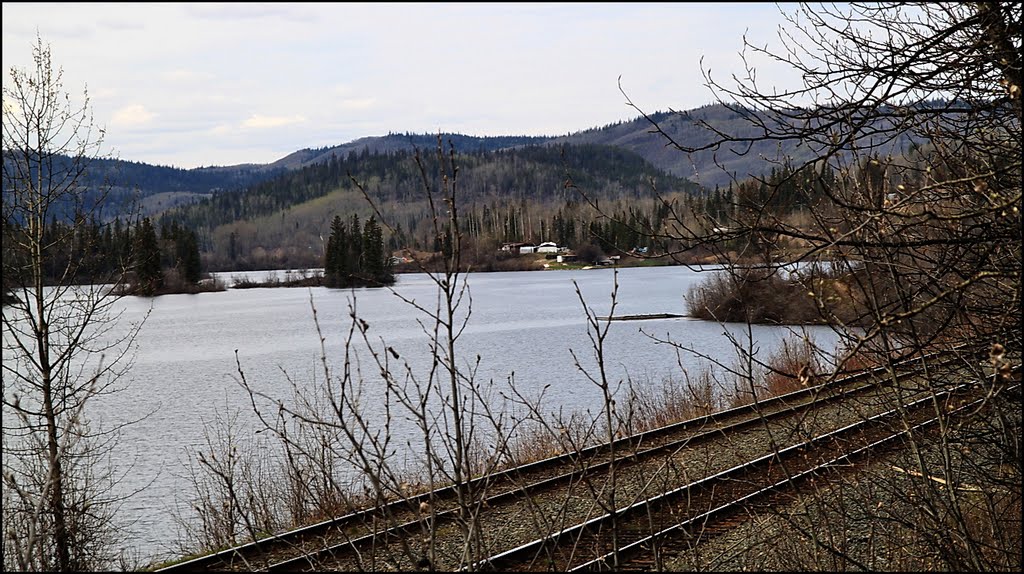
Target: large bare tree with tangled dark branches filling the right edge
{"points": [[904, 142]]}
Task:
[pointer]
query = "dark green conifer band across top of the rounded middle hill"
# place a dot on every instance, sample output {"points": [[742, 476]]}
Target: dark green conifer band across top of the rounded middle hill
{"points": [[533, 171]]}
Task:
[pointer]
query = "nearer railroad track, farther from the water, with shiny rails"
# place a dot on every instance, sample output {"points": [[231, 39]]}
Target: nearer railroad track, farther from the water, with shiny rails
{"points": [[639, 537]]}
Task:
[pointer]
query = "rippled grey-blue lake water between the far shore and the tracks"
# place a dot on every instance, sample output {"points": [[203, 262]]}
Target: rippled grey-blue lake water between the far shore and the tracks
{"points": [[525, 324]]}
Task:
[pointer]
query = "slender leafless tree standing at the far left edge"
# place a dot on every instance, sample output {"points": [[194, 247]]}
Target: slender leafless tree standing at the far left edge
{"points": [[62, 344]]}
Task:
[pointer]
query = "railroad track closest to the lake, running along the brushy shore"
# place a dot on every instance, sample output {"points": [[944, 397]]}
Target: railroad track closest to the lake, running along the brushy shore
{"points": [[364, 533]]}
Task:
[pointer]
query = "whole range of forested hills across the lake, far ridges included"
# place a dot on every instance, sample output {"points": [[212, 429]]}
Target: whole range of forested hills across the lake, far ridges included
{"points": [[513, 189]]}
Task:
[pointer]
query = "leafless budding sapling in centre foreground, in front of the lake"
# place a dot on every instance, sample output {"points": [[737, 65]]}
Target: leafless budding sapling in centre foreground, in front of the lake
{"points": [[344, 441]]}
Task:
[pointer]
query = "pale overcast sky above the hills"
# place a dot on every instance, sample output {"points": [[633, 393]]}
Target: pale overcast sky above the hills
{"points": [[190, 85]]}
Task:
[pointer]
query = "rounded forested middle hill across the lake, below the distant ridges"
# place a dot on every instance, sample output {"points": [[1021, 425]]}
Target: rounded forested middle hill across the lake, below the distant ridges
{"points": [[515, 195]]}
